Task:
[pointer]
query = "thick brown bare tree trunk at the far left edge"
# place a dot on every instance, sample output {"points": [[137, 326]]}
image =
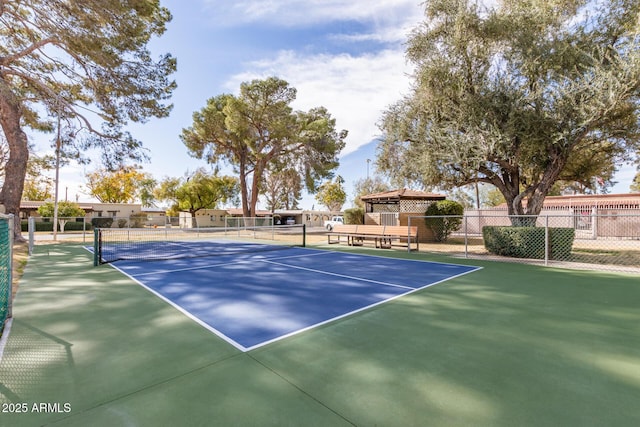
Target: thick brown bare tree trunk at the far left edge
{"points": [[16, 168]]}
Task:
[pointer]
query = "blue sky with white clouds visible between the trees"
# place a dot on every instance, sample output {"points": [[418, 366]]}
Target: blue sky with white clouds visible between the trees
{"points": [[346, 55]]}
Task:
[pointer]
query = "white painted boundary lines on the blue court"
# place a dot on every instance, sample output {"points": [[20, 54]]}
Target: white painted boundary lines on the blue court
{"points": [[315, 325]]}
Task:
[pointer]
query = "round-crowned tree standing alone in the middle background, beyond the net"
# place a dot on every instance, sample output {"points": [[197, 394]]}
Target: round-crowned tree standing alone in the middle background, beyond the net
{"points": [[258, 127]]}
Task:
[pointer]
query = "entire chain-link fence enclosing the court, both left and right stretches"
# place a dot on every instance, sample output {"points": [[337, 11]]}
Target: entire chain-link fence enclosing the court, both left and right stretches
{"points": [[608, 241]]}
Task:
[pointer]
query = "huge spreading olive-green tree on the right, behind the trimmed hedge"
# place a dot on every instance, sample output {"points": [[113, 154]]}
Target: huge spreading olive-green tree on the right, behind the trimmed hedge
{"points": [[513, 95]]}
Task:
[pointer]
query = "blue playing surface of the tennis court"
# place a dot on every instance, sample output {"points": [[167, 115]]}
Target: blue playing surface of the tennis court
{"points": [[256, 298]]}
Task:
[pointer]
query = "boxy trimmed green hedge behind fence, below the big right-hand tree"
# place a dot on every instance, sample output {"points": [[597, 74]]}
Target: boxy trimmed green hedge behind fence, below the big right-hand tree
{"points": [[529, 242]]}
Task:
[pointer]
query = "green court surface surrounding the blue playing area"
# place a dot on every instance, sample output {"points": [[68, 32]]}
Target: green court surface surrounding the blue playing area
{"points": [[508, 345]]}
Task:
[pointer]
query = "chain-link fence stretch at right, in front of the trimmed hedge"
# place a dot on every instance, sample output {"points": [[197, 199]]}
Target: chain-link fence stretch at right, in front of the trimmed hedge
{"points": [[610, 242]]}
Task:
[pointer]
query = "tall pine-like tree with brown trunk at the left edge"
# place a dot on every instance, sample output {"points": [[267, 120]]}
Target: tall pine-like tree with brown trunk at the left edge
{"points": [[86, 63]]}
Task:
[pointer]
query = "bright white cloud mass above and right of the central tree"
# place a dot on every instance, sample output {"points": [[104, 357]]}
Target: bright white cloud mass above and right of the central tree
{"points": [[355, 89]]}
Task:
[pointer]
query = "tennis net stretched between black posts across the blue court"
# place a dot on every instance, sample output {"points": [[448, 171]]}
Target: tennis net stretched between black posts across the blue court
{"points": [[111, 244]]}
